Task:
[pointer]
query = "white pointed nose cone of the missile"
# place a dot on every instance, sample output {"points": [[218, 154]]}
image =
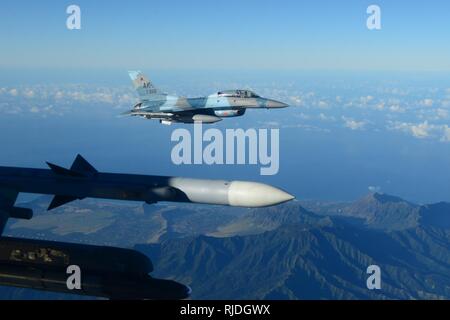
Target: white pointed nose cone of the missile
{"points": [[254, 194]]}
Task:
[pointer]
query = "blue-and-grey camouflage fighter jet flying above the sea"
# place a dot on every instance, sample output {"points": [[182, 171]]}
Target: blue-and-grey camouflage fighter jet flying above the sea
{"points": [[154, 104]]}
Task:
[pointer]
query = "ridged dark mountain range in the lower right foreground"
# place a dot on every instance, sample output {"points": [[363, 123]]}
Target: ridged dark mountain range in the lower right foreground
{"points": [[295, 262]]}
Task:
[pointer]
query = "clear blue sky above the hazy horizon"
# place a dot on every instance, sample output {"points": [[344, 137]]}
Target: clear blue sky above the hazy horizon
{"points": [[326, 35]]}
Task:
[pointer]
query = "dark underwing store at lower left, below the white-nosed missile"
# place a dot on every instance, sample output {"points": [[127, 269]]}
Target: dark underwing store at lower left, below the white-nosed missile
{"points": [[107, 272]]}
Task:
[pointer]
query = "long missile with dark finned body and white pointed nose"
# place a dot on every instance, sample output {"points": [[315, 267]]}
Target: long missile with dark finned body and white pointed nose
{"points": [[82, 180]]}
